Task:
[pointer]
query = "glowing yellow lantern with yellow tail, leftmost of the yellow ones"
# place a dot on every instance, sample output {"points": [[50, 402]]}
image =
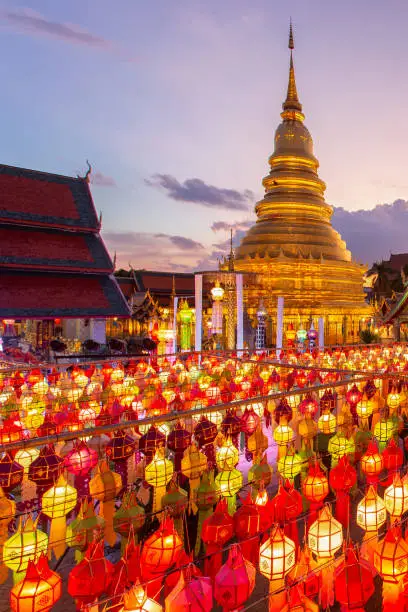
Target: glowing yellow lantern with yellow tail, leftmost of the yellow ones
{"points": [[56, 503]]}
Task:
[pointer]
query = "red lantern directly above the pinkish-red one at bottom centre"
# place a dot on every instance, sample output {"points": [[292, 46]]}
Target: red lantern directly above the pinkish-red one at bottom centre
{"points": [[247, 523]]}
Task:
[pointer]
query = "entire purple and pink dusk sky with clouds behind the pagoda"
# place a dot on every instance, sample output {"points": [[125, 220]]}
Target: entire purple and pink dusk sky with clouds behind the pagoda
{"points": [[175, 104]]}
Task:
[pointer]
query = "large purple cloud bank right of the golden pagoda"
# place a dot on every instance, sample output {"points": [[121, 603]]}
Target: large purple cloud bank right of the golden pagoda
{"points": [[371, 235]]}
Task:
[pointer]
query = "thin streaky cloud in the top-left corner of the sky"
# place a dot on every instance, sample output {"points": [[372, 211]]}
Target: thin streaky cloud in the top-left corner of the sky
{"points": [[27, 20]]}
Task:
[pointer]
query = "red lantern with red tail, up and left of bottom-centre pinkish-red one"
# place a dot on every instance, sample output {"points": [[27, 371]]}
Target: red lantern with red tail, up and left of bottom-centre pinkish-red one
{"points": [[217, 530]]}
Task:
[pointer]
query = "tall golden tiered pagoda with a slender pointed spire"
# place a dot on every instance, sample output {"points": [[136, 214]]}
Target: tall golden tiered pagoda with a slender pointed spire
{"points": [[293, 248]]}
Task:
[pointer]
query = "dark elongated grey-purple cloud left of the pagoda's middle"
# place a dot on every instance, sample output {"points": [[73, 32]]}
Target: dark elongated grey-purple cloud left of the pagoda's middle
{"points": [[198, 192]]}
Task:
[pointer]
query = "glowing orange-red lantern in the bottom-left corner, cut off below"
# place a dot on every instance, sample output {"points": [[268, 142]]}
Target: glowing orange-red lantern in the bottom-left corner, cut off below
{"points": [[39, 591]]}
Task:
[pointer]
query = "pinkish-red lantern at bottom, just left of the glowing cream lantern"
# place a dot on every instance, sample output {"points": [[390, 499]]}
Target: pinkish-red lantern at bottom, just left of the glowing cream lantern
{"points": [[234, 581]]}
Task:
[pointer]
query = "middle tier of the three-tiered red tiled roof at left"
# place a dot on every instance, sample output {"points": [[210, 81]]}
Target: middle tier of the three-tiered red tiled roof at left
{"points": [[32, 248]]}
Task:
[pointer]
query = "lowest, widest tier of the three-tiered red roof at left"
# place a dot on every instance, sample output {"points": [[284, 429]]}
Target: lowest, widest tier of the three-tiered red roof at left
{"points": [[48, 295]]}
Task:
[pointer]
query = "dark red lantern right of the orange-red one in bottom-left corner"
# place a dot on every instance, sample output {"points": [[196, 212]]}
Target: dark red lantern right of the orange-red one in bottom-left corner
{"points": [[91, 578]]}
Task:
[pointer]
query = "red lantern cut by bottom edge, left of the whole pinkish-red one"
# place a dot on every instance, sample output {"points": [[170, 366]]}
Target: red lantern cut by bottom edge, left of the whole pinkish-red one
{"points": [[191, 592]]}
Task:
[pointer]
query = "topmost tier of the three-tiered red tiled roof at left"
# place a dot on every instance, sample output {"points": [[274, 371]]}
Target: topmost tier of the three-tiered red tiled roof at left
{"points": [[39, 198]]}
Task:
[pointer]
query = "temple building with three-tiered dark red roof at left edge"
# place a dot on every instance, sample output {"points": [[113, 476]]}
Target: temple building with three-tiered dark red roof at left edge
{"points": [[56, 276]]}
